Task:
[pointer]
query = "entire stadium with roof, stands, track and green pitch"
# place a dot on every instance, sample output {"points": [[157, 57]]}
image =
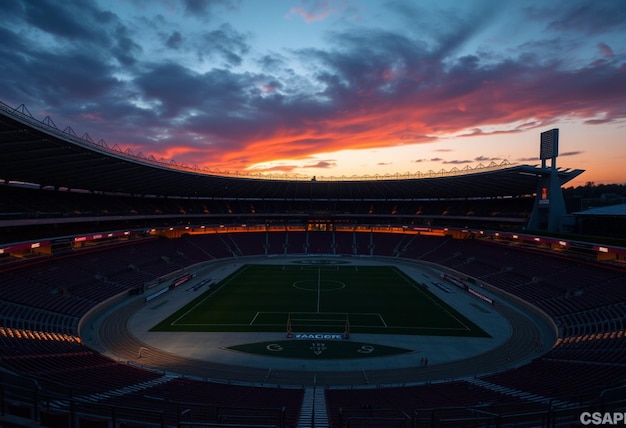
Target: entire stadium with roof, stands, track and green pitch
{"points": [[141, 293]]}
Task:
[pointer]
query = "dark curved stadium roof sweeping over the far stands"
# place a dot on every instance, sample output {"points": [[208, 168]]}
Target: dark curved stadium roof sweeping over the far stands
{"points": [[37, 152]]}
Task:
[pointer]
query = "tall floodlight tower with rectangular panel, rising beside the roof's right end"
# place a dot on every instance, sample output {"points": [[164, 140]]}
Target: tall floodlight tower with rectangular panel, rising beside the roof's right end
{"points": [[549, 210]]}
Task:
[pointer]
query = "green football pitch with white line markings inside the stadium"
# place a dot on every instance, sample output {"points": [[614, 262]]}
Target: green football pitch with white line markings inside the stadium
{"points": [[329, 298]]}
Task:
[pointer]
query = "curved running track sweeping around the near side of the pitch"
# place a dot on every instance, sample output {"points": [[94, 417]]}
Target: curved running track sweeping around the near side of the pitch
{"points": [[115, 336]]}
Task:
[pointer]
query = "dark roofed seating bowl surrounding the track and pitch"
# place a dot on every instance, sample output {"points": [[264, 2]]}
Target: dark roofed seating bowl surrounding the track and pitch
{"points": [[72, 244]]}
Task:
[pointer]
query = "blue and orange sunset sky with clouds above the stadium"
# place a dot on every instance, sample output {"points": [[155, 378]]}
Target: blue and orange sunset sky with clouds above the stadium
{"points": [[327, 88]]}
